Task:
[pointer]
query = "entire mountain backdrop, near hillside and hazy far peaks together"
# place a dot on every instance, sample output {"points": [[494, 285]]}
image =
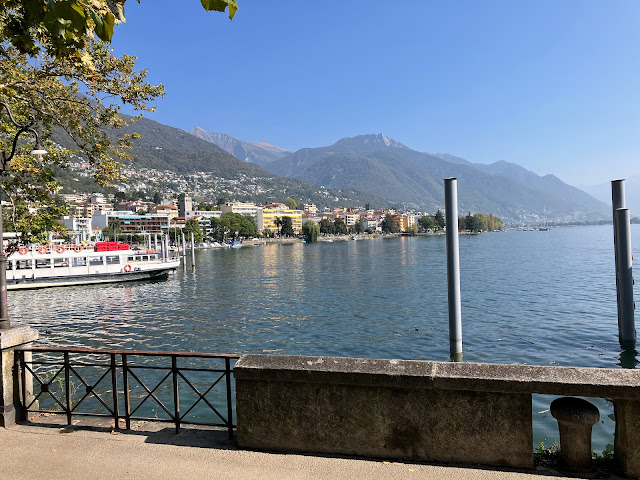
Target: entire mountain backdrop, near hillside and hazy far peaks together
{"points": [[372, 169]]}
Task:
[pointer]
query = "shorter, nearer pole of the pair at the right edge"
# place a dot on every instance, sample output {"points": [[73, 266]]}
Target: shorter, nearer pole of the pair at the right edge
{"points": [[626, 306]]}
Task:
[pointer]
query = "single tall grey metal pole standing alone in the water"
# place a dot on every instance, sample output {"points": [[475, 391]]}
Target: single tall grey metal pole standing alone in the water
{"points": [[453, 268]]}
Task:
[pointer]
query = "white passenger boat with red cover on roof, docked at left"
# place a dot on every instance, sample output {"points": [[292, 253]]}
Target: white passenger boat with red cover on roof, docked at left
{"points": [[41, 266]]}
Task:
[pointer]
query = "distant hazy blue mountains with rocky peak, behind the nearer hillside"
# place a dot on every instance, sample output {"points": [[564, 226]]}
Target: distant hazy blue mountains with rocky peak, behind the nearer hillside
{"points": [[385, 167]]}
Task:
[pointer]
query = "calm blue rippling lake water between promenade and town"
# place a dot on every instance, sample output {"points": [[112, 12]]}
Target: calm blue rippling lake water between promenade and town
{"points": [[543, 298]]}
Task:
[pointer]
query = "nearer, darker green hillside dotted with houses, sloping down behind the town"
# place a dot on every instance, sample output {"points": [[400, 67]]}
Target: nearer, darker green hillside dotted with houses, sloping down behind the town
{"points": [[170, 149]]}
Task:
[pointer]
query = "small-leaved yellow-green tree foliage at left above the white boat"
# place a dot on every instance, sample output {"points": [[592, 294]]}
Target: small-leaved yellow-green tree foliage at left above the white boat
{"points": [[79, 101]]}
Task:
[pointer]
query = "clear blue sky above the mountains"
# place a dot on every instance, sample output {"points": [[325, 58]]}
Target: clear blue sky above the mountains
{"points": [[551, 85]]}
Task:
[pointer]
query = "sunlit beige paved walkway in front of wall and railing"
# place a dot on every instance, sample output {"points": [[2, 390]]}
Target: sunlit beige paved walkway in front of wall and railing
{"points": [[47, 452]]}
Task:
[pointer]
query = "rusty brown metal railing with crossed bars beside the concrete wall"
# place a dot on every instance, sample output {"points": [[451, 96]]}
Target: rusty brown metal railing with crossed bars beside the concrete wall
{"points": [[117, 384]]}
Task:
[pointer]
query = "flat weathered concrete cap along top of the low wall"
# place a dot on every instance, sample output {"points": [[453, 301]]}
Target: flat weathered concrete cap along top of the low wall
{"points": [[576, 381]]}
